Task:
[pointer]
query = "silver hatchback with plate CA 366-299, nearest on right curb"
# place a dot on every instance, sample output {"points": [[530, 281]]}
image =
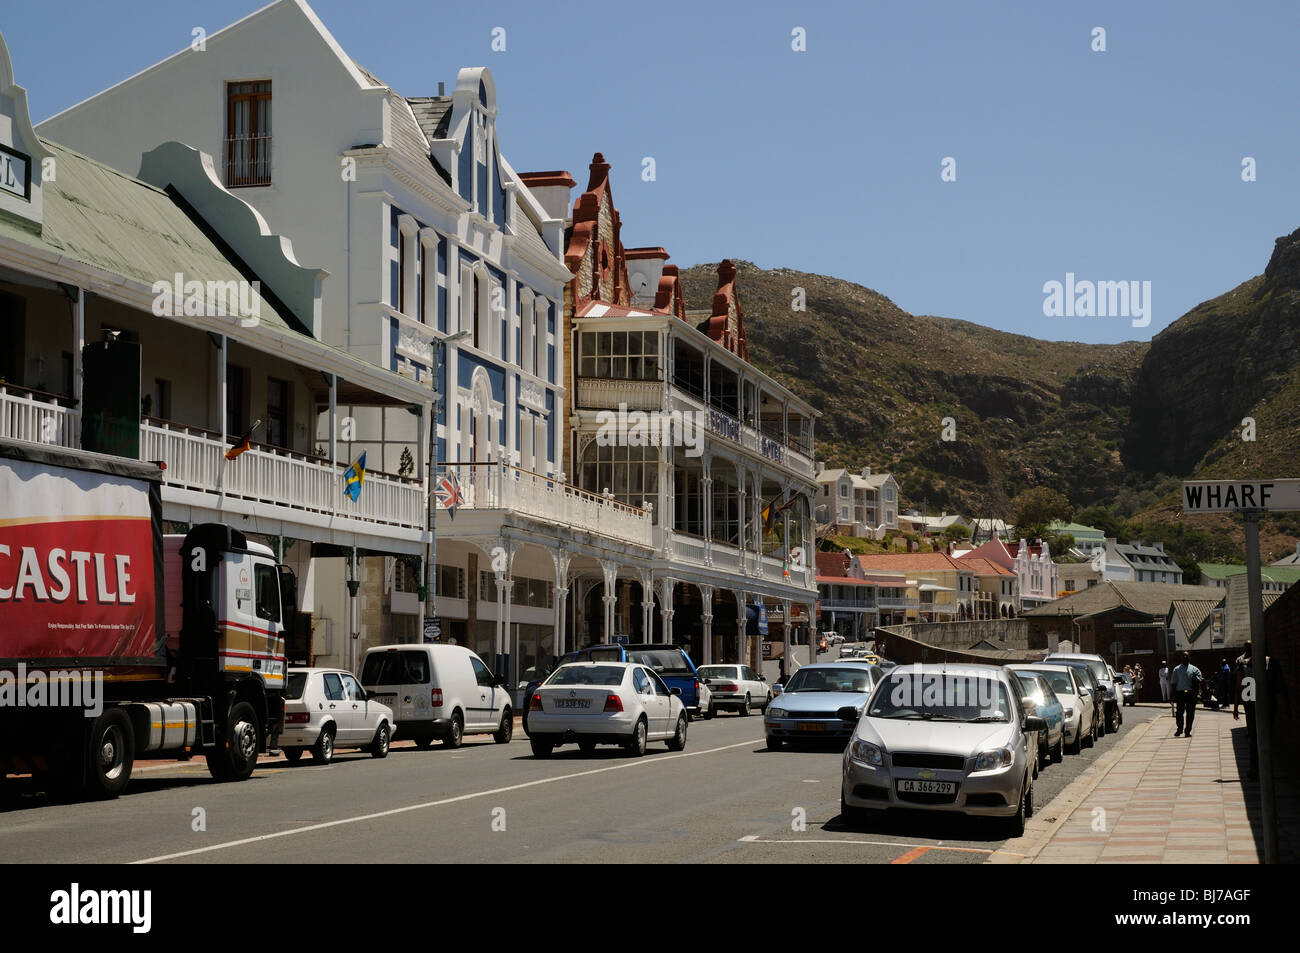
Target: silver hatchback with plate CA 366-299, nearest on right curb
{"points": [[944, 738]]}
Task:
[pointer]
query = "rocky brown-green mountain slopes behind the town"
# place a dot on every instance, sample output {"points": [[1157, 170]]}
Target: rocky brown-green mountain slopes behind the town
{"points": [[1094, 422]]}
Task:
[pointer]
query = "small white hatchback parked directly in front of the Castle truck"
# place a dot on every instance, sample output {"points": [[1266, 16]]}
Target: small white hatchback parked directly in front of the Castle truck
{"points": [[327, 709]]}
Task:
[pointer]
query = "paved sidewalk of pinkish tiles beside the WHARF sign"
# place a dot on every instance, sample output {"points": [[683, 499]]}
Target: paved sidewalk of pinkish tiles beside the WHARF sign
{"points": [[1178, 800]]}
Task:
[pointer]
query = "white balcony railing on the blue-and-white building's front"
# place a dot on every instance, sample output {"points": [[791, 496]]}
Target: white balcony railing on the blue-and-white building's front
{"points": [[500, 487]]}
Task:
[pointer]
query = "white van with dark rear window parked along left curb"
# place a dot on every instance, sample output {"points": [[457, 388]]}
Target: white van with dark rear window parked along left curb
{"points": [[439, 692]]}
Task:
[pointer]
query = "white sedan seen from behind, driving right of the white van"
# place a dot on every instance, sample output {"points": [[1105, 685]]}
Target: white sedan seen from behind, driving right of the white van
{"points": [[595, 704]]}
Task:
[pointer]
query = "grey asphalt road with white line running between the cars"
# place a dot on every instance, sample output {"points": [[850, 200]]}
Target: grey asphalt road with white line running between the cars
{"points": [[725, 800]]}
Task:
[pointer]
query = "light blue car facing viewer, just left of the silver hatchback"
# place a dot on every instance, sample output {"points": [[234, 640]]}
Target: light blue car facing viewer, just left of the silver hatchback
{"points": [[820, 703]]}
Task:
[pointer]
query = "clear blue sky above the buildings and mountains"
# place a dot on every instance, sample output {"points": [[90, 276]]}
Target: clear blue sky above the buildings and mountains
{"points": [[1115, 166]]}
